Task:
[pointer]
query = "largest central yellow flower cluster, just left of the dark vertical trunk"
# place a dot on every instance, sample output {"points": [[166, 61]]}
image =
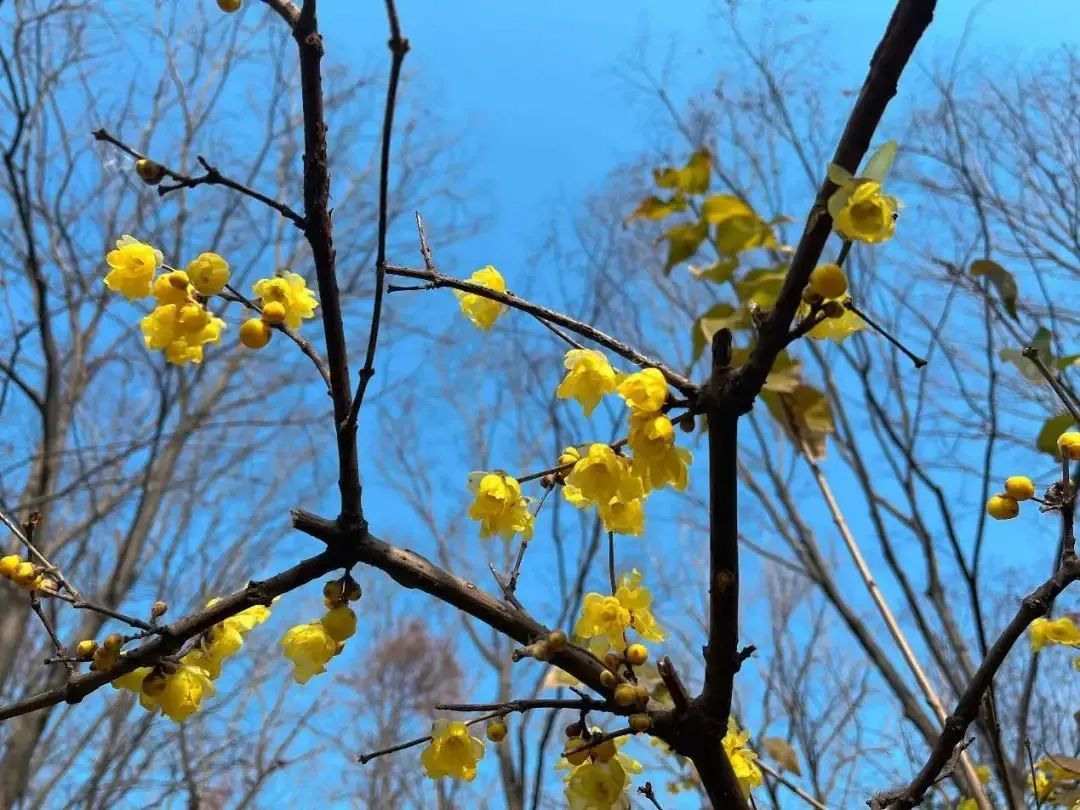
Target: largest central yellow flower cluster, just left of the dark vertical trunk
{"points": [[599, 476]]}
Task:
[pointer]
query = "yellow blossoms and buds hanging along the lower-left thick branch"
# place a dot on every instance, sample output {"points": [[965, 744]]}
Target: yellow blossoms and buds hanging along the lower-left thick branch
{"points": [[177, 687]]}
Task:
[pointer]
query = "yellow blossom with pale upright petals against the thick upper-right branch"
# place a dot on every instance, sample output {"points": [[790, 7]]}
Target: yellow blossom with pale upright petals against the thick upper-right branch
{"points": [[860, 209]]}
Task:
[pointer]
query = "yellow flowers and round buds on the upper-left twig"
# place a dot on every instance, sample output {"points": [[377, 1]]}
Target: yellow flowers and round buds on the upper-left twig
{"points": [[182, 323]]}
